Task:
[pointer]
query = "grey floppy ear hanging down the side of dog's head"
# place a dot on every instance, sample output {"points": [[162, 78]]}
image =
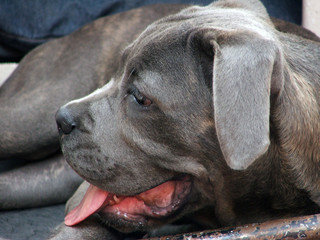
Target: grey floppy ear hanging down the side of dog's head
{"points": [[246, 70]]}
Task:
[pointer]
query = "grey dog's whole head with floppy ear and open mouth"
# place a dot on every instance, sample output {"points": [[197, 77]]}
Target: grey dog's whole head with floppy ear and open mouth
{"points": [[190, 101]]}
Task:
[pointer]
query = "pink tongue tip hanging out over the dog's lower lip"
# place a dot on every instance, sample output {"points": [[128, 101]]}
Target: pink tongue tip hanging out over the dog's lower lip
{"points": [[92, 201]]}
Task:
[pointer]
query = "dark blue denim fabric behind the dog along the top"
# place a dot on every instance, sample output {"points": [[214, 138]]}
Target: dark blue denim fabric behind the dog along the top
{"points": [[24, 24]]}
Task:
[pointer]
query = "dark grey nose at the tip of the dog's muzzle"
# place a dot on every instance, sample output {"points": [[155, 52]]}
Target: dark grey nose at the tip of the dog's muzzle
{"points": [[65, 121]]}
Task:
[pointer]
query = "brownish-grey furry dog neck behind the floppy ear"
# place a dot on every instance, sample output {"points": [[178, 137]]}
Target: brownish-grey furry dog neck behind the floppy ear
{"points": [[295, 114]]}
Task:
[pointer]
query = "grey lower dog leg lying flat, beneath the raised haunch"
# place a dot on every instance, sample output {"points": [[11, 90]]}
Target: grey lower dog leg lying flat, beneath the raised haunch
{"points": [[42, 183]]}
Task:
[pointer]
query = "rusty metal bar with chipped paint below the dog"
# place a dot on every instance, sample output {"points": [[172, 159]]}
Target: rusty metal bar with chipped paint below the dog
{"points": [[305, 227]]}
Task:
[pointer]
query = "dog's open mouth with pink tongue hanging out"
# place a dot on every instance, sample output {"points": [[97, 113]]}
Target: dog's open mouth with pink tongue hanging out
{"points": [[156, 203]]}
